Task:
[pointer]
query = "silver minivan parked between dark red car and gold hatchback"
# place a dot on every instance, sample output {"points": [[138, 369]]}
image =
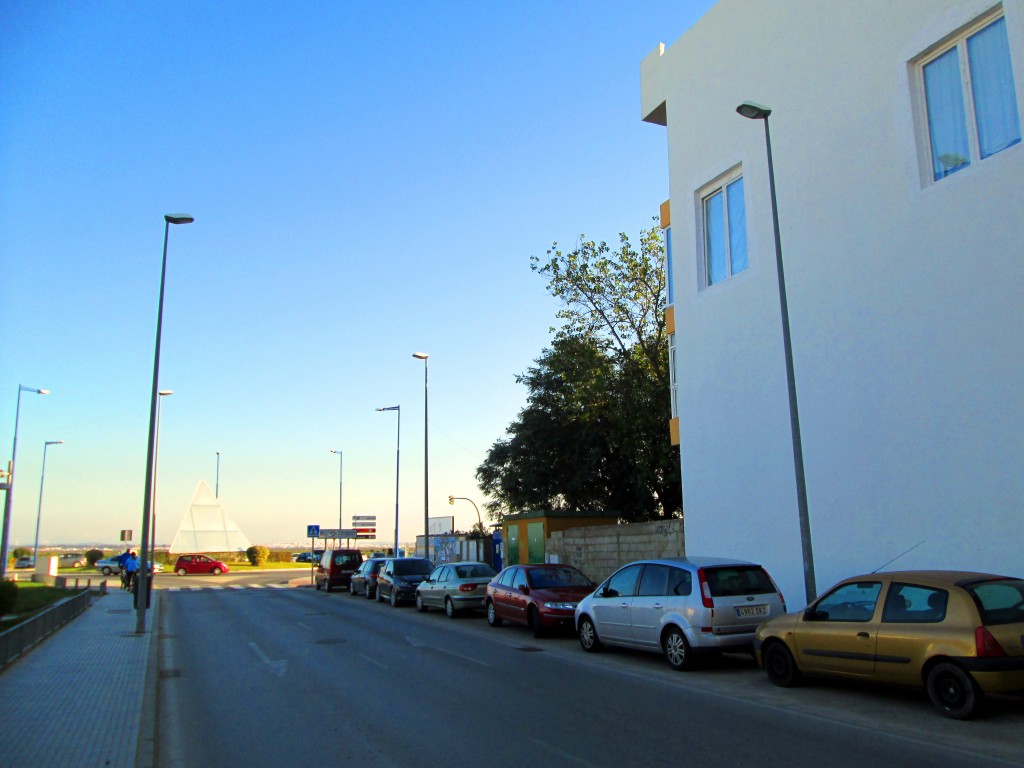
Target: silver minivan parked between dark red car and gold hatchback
{"points": [[681, 607]]}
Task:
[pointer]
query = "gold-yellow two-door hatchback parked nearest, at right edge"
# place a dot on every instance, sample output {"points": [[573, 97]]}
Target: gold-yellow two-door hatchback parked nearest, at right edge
{"points": [[958, 634]]}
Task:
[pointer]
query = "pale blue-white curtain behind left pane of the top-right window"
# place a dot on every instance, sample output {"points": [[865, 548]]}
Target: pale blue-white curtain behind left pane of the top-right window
{"points": [[947, 120]]}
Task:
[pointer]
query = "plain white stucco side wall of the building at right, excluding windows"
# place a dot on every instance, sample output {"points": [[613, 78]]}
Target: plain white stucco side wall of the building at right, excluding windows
{"points": [[907, 297]]}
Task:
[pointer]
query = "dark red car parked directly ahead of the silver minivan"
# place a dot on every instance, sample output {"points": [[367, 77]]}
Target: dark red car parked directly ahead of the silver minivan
{"points": [[542, 596]]}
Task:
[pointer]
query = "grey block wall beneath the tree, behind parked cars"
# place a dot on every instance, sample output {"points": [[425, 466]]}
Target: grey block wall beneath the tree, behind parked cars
{"points": [[599, 550]]}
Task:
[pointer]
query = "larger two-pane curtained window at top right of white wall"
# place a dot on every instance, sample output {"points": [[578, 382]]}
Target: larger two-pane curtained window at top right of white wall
{"points": [[970, 98]]}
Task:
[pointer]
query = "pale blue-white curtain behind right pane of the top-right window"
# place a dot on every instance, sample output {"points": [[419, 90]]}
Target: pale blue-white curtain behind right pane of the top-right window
{"points": [[993, 88]]}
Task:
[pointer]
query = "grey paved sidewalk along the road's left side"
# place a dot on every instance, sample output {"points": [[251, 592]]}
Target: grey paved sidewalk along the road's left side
{"points": [[76, 699]]}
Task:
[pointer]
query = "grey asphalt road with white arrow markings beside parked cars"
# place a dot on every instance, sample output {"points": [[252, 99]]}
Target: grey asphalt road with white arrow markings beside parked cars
{"points": [[289, 675]]}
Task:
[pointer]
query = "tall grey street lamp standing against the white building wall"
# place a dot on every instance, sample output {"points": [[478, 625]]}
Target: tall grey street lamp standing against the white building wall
{"points": [[755, 111]]}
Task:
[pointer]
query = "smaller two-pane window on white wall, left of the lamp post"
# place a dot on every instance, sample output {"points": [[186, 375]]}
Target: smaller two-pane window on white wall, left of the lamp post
{"points": [[724, 231]]}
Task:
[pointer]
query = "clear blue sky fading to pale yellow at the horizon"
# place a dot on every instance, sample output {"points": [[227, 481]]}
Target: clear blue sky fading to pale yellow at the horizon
{"points": [[368, 181]]}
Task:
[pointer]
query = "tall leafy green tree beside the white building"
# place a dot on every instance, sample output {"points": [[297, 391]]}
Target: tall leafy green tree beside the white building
{"points": [[594, 434]]}
